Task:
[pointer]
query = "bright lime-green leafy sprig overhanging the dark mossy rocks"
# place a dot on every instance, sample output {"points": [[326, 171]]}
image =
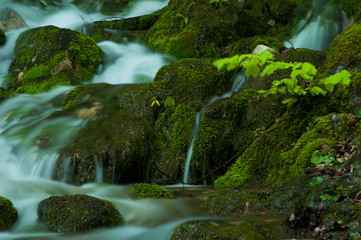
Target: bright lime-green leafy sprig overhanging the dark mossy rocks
{"points": [[300, 71]]}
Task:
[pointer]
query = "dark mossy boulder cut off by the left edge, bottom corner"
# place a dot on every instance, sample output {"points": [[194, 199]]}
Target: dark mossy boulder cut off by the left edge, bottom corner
{"points": [[8, 213]]}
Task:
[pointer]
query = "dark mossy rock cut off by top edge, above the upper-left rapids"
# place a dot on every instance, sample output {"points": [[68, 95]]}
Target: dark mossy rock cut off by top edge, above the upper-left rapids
{"points": [[107, 7]]}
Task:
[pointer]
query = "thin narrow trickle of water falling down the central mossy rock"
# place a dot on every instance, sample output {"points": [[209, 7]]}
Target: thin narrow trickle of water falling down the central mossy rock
{"points": [[239, 80]]}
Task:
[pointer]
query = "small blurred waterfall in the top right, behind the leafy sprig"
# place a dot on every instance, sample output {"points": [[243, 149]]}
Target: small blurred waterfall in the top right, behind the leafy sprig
{"points": [[320, 26]]}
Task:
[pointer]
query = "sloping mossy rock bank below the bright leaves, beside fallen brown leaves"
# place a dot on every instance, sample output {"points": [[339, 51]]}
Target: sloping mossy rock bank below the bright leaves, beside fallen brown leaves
{"points": [[282, 152]]}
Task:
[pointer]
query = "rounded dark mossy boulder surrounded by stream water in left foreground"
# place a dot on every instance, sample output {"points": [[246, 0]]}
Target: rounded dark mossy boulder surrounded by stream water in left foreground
{"points": [[78, 213]]}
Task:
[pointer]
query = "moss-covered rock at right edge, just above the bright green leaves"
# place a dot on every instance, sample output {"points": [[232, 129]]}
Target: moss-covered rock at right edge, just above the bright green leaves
{"points": [[343, 53]]}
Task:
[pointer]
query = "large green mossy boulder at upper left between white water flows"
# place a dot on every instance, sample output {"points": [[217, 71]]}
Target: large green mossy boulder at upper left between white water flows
{"points": [[47, 57]]}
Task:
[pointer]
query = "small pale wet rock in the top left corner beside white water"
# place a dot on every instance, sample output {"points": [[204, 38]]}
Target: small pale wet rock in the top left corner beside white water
{"points": [[10, 20]]}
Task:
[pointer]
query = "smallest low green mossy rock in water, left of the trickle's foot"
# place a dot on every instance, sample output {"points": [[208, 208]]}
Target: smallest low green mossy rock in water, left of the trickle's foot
{"points": [[145, 190]]}
